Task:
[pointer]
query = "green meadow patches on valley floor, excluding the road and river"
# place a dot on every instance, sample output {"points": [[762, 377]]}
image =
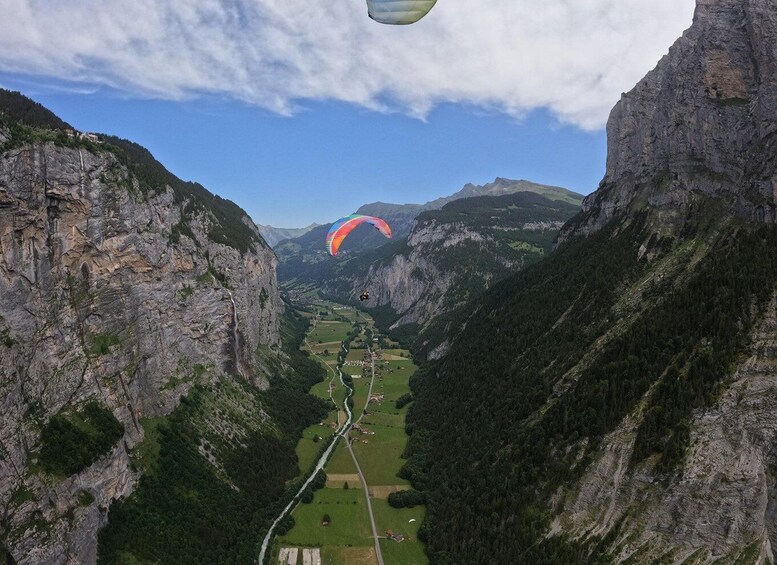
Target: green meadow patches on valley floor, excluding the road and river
{"points": [[347, 539]]}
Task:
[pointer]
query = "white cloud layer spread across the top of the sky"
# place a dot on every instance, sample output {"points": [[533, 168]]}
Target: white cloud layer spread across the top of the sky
{"points": [[573, 57]]}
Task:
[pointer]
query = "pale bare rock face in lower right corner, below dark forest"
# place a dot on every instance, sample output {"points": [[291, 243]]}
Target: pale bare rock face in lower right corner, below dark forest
{"points": [[724, 502]]}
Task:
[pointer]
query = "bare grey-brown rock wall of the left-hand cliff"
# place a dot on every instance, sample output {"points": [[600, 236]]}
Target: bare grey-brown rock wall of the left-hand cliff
{"points": [[87, 258]]}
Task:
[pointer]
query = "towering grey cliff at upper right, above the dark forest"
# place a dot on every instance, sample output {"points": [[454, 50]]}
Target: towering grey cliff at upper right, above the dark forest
{"points": [[702, 123]]}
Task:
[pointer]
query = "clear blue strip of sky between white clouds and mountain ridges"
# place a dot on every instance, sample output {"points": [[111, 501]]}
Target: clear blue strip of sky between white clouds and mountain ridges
{"points": [[331, 157]]}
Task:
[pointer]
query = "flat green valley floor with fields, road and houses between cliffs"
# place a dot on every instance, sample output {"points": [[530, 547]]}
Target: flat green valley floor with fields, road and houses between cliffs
{"points": [[377, 440]]}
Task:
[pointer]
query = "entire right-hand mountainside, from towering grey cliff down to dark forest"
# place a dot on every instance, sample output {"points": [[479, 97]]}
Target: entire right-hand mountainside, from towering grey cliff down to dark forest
{"points": [[622, 390]]}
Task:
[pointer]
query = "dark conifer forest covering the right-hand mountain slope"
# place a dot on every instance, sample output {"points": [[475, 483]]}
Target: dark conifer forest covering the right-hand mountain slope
{"points": [[557, 367]]}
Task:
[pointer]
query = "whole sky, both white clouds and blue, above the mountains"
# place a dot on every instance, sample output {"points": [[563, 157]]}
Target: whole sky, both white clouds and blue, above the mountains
{"points": [[301, 111]]}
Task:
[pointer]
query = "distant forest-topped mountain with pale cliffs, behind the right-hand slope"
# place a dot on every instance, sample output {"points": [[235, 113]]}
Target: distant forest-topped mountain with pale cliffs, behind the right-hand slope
{"points": [[451, 255]]}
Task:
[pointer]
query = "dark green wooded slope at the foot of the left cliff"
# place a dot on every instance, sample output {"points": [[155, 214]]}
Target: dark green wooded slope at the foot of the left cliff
{"points": [[216, 469]]}
